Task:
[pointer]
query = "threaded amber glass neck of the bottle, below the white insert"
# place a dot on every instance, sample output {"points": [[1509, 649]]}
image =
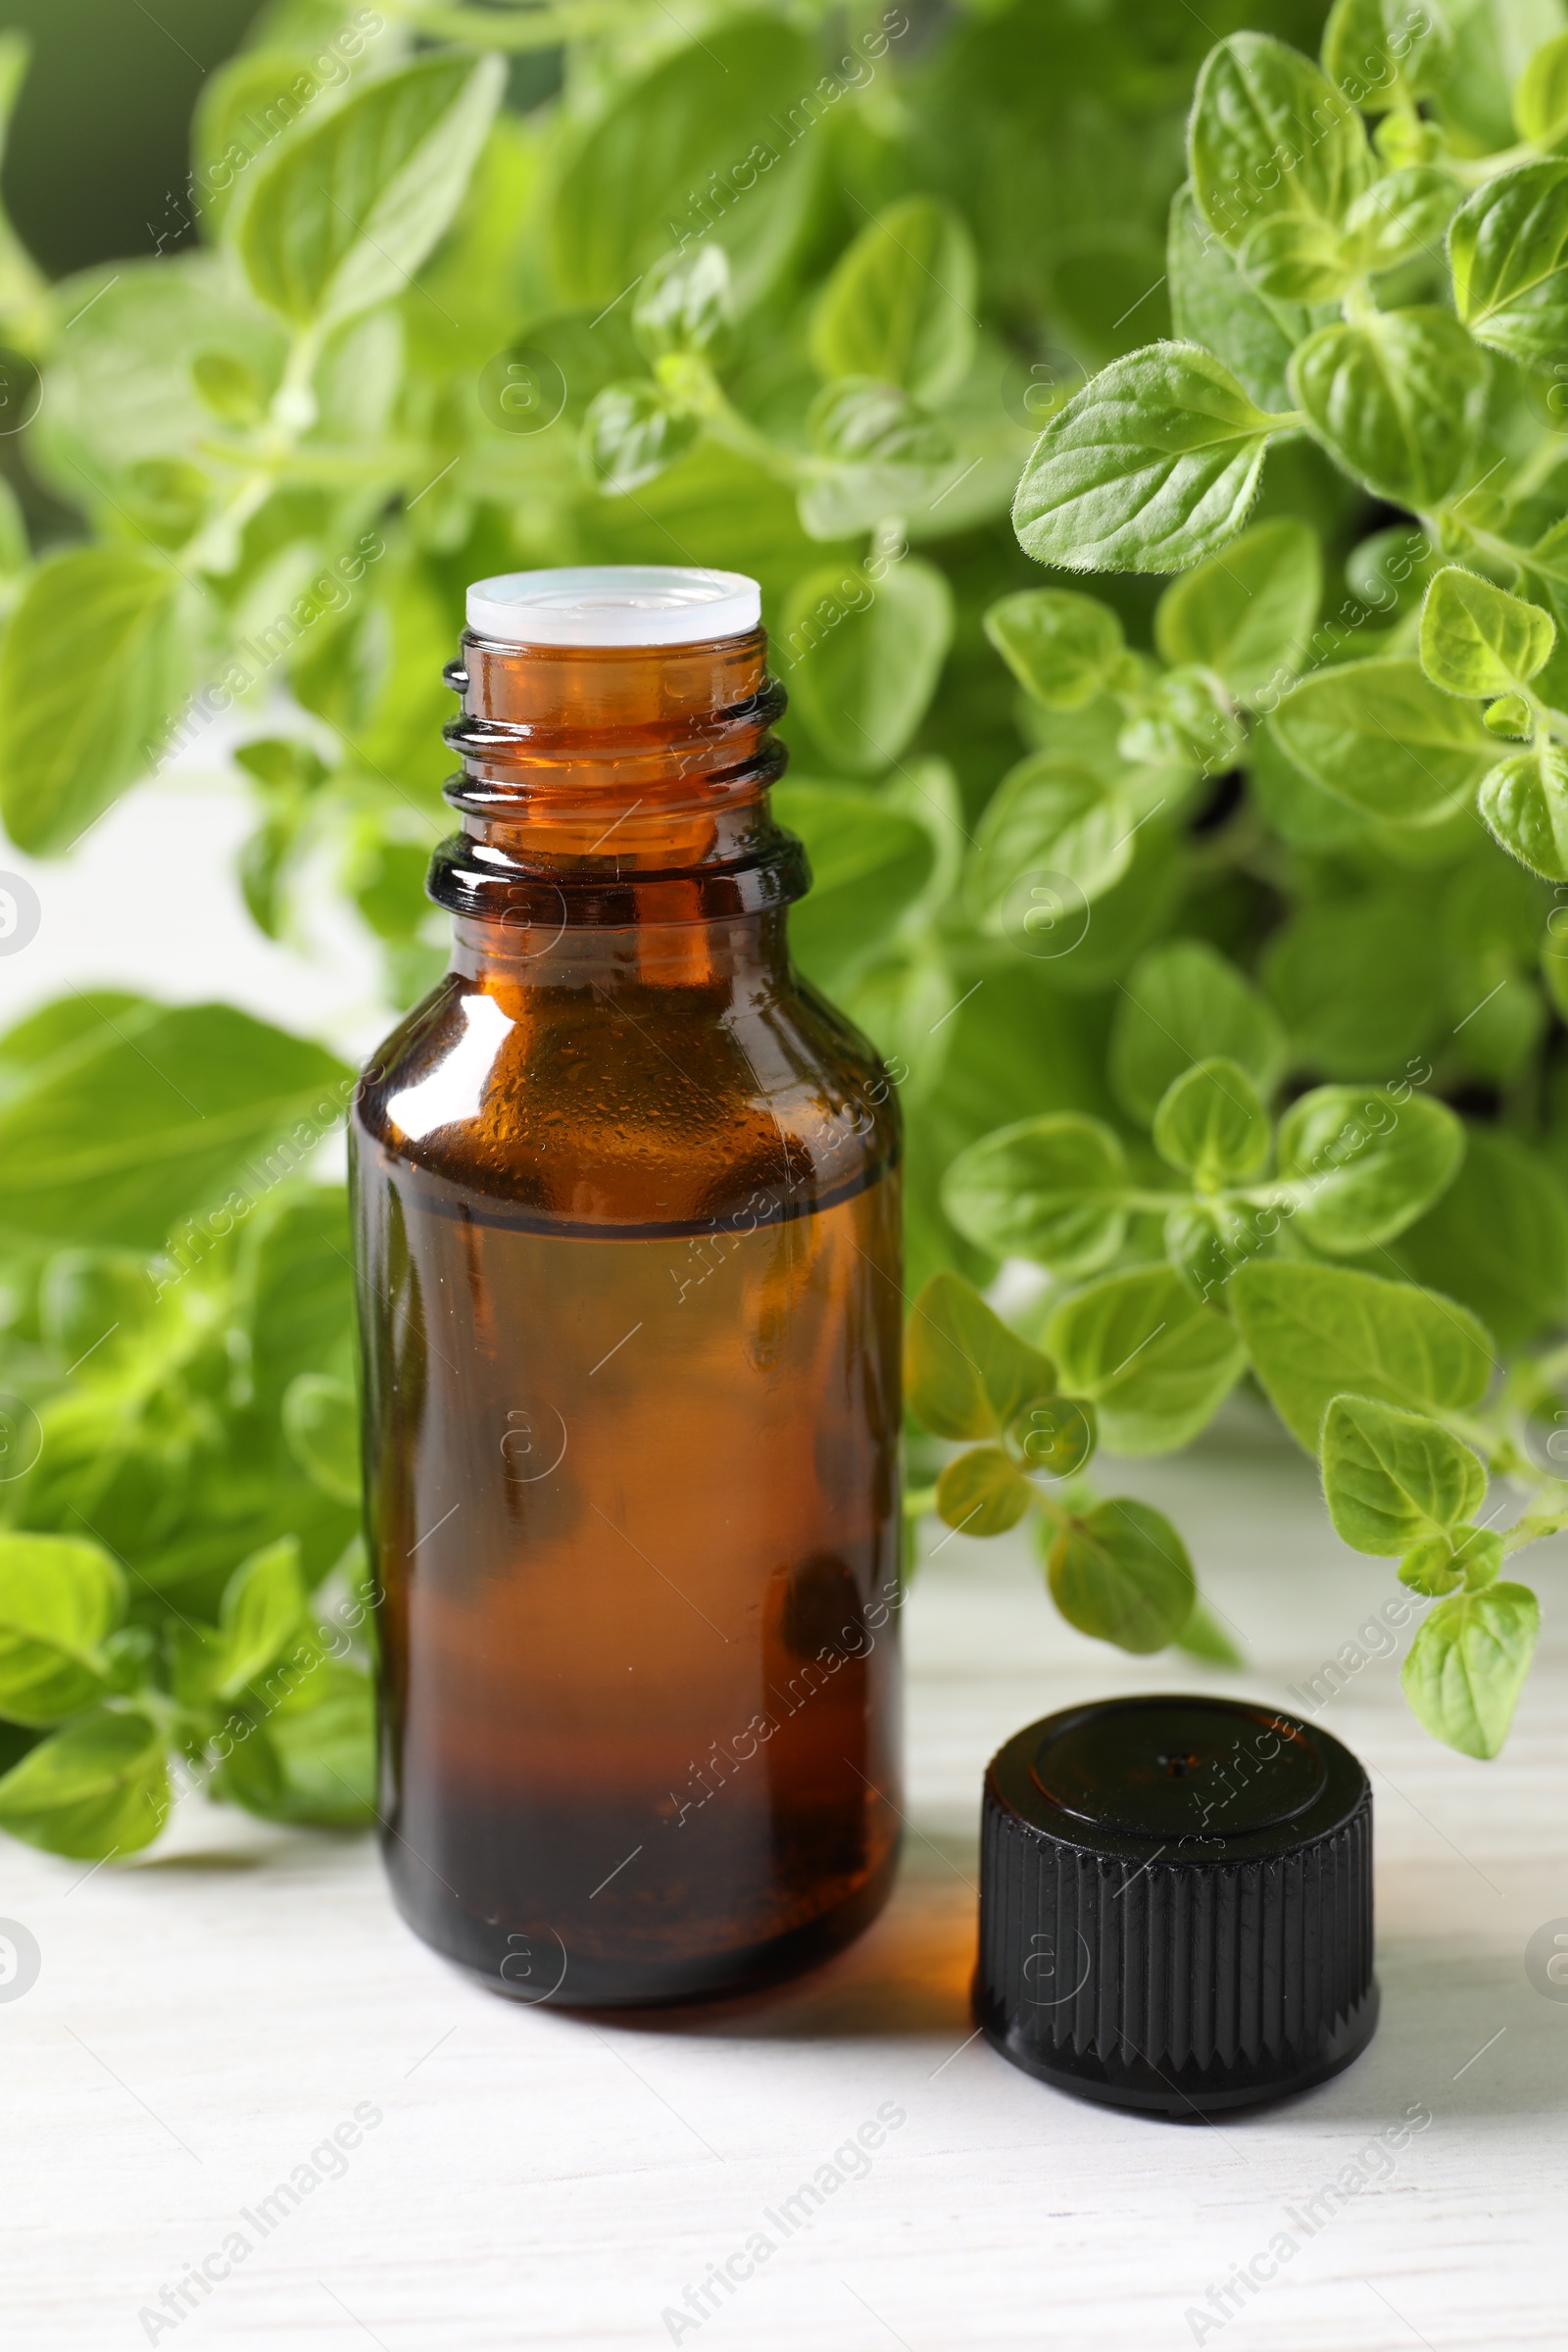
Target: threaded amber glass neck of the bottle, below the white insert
{"points": [[610, 789]]}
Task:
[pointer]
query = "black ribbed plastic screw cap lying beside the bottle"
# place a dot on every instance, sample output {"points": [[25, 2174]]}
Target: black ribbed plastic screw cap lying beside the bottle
{"points": [[1177, 1904]]}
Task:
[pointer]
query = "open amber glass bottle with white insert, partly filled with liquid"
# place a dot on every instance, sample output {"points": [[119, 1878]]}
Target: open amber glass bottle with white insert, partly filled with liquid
{"points": [[626, 1201]]}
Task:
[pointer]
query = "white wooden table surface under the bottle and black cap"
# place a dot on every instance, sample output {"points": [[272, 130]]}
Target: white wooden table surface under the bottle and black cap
{"points": [[208, 2019]]}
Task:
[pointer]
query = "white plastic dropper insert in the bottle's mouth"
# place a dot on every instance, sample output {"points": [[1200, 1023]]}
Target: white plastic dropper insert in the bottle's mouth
{"points": [[615, 606]]}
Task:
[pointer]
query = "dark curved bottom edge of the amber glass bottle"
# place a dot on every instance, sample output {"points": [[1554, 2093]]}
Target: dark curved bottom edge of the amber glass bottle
{"points": [[542, 1972]]}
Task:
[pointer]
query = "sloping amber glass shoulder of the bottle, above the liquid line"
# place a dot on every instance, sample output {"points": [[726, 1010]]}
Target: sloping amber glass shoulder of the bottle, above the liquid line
{"points": [[650, 1104]]}
